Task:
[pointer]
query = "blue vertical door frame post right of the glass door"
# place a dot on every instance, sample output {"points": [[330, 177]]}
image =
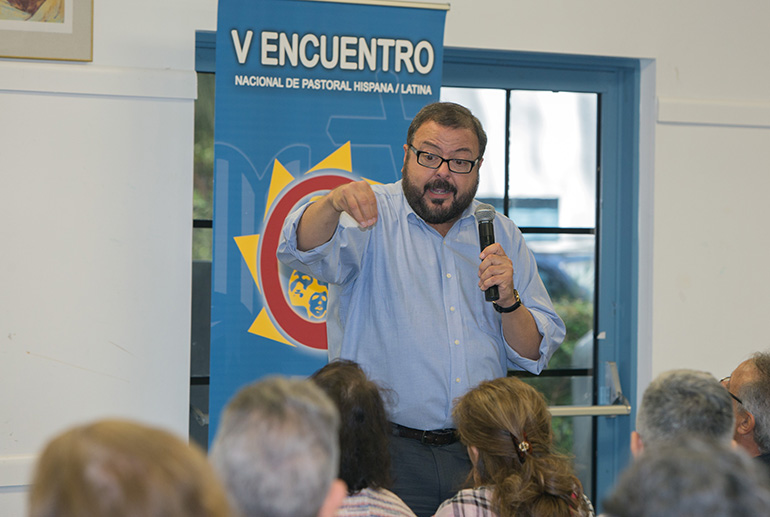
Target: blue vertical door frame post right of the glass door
{"points": [[617, 308]]}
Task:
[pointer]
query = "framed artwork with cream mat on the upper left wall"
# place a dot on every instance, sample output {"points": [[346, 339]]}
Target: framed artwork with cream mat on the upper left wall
{"points": [[47, 29]]}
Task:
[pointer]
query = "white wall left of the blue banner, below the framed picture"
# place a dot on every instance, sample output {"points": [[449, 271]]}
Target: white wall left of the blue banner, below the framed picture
{"points": [[95, 268]]}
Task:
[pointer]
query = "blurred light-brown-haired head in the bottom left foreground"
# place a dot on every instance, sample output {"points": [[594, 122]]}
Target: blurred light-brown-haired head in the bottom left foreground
{"points": [[118, 468]]}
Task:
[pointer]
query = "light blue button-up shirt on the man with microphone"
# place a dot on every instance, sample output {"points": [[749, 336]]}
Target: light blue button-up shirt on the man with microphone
{"points": [[404, 303]]}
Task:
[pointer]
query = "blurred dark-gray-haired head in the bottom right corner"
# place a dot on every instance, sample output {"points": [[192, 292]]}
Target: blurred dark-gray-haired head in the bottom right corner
{"points": [[693, 477]]}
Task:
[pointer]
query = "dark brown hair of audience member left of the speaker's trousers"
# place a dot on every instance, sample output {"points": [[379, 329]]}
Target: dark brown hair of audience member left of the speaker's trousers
{"points": [[364, 430]]}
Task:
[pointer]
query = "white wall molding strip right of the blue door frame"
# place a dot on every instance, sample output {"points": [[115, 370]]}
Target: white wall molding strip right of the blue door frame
{"points": [[713, 113]]}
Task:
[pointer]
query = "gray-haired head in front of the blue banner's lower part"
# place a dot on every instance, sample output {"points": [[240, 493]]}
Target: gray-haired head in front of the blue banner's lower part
{"points": [[277, 450]]}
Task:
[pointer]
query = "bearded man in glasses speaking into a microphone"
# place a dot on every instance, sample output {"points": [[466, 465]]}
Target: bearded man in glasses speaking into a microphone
{"points": [[407, 293]]}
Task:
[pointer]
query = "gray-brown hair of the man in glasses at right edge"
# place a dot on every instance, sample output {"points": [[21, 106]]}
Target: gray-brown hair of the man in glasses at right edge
{"points": [[755, 398]]}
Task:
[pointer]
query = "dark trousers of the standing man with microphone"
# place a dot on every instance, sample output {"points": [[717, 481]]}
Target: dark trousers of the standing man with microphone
{"points": [[424, 476]]}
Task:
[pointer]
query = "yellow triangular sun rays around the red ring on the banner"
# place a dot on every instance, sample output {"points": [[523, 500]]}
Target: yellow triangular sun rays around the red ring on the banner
{"points": [[249, 244]]}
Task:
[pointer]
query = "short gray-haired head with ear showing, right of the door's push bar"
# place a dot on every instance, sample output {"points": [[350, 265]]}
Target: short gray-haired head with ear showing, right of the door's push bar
{"points": [[681, 403]]}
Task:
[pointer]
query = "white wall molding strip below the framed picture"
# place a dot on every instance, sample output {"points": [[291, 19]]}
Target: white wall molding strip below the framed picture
{"points": [[87, 79]]}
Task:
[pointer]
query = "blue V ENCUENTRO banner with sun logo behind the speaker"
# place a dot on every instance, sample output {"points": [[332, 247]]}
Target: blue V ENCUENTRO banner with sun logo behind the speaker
{"points": [[309, 95]]}
